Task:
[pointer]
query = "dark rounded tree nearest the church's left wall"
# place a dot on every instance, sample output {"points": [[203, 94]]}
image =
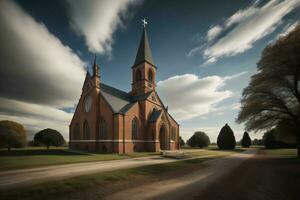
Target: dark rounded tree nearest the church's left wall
{"points": [[49, 137]]}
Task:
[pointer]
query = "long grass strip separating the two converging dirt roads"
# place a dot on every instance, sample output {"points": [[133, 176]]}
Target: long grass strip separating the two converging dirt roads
{"points": [[54, 189]]}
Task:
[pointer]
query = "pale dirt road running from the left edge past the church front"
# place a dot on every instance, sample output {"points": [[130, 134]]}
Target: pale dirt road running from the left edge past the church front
{"points": [[15, 178]]}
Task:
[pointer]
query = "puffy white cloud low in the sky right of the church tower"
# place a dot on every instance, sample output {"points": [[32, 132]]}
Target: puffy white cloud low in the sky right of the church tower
{"points": [[194, 96]]}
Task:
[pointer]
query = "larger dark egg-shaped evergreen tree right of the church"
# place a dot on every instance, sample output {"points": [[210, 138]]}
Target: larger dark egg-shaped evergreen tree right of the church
{"points": [[226, 139]]}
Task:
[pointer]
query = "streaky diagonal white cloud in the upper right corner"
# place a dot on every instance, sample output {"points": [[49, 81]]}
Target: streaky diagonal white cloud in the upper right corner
{"points": [[245, 27]]}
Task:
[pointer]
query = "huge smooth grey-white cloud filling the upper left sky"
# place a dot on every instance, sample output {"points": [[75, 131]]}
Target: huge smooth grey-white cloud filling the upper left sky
{"points": [[35, 65]]}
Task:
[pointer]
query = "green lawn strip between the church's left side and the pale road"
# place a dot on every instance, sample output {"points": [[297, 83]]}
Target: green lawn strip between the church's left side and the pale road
{"points": [[37, 156]]}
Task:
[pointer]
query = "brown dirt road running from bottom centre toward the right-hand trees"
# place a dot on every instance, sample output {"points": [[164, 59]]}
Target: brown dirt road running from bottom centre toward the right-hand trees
{"points": [[187, 186]]}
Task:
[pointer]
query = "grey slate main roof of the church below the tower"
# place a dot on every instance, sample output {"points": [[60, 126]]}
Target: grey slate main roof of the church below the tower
{"points": [[120, 101]]}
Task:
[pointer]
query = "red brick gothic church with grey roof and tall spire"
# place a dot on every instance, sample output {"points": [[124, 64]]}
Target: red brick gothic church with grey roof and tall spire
{"points": [[107, 119]]}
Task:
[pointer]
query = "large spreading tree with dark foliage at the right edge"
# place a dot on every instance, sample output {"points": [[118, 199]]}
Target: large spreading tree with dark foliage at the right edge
{"points": [[272, 97]]}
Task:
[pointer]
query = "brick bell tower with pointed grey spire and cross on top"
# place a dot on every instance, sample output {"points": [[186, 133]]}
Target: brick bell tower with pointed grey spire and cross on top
{"points": [[143, 70]]}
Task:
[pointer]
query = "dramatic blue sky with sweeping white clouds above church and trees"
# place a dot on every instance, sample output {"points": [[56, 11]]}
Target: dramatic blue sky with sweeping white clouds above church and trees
{"points": [[205, 53]]}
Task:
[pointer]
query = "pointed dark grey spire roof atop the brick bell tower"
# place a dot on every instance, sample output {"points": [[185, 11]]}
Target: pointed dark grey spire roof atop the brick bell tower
{"points": [[144, 51]]}
